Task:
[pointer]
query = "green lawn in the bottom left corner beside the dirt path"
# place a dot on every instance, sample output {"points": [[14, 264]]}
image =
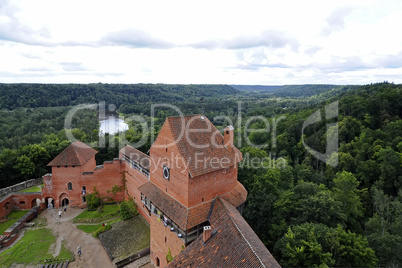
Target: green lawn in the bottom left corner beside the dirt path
{"points": [[32, 249]]}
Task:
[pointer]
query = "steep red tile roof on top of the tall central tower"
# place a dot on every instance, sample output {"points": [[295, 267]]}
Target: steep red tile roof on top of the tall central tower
{"points": [[202, 145]]}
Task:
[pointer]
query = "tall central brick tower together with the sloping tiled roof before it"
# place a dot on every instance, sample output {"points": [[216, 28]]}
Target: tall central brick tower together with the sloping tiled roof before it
{"points": [[195, 200]]}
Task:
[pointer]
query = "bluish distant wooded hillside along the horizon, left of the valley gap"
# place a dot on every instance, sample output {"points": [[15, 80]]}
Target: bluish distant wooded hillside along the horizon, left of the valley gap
{"points": [[55, 95]]}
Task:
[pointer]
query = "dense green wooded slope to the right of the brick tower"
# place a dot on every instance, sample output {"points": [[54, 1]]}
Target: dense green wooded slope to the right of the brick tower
{"points": [[344, 216]]}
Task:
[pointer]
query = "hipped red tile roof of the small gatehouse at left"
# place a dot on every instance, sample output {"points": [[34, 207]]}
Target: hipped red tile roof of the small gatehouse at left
{"points": [[76, 154]]}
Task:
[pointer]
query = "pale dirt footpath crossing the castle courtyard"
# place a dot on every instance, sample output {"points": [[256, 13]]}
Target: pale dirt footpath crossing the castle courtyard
{"points": [[93, 253]]}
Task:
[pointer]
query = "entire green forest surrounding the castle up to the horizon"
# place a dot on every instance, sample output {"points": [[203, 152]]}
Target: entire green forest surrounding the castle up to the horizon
{"points": [[307, 212]]}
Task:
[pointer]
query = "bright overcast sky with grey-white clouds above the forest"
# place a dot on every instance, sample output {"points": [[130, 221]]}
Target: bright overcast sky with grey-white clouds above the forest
{"points": [[191, 42]]}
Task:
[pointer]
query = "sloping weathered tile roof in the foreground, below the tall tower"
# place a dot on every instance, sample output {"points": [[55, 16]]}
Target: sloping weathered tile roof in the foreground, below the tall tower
{"points": [[233, 243]]}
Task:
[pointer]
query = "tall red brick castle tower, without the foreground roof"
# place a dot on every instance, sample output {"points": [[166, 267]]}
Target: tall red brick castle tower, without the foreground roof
{"points": [[191, 164]]}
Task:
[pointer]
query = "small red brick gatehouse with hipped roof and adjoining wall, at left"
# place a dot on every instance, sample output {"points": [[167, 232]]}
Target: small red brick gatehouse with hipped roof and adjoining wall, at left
{"points": [[74, 174]]}
